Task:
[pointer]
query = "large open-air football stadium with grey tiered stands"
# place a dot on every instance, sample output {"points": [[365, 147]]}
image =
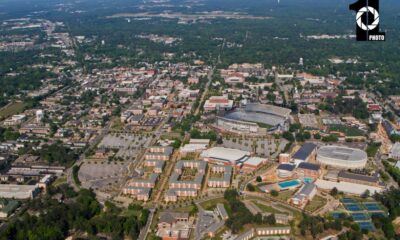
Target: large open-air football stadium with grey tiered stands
{"points": [[262, 114]]}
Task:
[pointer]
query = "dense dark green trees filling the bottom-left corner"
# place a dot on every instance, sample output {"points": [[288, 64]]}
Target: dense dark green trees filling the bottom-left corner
{"points": [[79, 212]]}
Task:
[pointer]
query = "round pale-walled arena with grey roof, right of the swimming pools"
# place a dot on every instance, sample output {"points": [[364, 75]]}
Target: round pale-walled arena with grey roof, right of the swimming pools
{"points": [[342, 157]]}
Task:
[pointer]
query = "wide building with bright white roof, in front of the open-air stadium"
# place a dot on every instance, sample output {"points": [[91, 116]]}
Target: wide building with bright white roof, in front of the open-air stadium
{"points": [[226, 156]]}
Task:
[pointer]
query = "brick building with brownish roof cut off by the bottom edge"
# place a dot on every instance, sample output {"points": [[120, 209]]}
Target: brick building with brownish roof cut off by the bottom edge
{"points": [[173, 226]]}
